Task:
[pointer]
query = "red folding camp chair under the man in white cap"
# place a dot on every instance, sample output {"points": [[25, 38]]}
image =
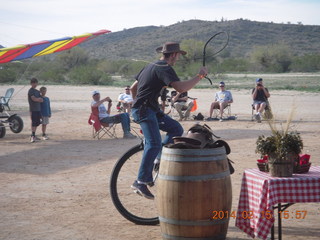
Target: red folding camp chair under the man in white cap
{"points": [[100, 129]]}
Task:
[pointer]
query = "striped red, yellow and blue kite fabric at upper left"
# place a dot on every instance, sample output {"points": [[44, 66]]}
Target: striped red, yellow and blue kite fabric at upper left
{"points": [[44, 47]]}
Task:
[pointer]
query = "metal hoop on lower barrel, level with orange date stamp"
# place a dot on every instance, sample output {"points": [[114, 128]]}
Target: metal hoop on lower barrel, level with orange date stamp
{"points": [[193, 223]]}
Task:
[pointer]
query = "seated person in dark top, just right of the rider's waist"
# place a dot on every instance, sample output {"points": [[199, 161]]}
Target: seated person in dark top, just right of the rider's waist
{"points": [[181, 102]]}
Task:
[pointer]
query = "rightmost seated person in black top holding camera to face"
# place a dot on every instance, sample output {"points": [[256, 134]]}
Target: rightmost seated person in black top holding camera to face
{"points": [[260, 95]]}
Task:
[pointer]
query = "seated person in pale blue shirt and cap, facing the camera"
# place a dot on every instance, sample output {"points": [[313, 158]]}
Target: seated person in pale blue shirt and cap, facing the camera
{"points": [[221, 100]]}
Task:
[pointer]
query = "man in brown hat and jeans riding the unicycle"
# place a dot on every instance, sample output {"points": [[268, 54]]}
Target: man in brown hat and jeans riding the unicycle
{"points": [[146, 111]]}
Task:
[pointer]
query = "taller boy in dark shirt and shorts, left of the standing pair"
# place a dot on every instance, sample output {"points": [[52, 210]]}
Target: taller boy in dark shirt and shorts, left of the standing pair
{"points": [[34, 99]]}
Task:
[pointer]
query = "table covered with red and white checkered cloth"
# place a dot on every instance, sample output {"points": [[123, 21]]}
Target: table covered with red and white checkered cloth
{"points": [[260, 194]]}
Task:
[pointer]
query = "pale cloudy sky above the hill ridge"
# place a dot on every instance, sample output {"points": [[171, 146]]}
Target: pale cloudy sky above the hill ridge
{"points": [[28, 21]]}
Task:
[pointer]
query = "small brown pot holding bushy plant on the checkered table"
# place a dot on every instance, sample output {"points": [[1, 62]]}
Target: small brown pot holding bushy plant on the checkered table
{"points": [[281, 167]]}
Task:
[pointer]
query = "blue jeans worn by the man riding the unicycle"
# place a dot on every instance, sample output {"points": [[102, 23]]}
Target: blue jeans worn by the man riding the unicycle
{"points": [[150, 122]]}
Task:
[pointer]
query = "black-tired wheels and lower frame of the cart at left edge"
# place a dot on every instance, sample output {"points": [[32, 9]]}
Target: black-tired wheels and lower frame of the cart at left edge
{"points": [[14, 122]]}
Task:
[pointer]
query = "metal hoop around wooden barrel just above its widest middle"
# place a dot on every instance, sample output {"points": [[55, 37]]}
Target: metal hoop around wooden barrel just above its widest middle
{"points": [[195, 178]]}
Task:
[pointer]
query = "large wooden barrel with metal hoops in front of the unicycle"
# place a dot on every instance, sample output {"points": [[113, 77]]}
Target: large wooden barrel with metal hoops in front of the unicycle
{"points": [[192, 187]]}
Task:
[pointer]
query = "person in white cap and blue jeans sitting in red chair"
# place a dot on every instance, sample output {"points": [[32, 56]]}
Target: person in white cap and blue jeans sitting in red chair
{"points": [[105, 117]]}
